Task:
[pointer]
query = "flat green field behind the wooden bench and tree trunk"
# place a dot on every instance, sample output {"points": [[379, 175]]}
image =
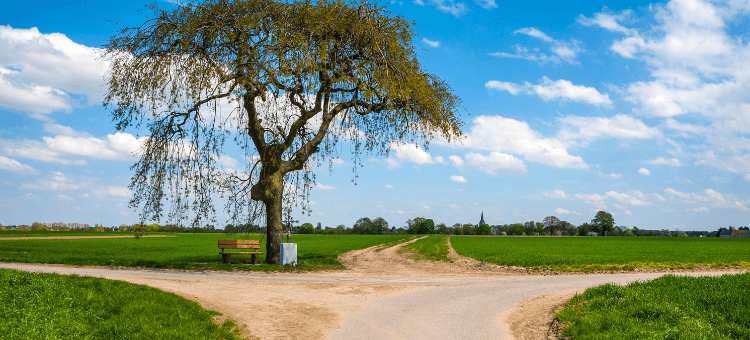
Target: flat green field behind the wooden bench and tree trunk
{"points": [[185, 251]]}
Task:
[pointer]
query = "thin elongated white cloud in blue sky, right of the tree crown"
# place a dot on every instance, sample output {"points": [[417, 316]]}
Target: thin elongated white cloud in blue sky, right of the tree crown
{"points": [[554, 90]]}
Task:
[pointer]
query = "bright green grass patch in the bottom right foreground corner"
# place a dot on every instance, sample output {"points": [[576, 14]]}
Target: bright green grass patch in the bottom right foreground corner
{"points": [[670, 307]]}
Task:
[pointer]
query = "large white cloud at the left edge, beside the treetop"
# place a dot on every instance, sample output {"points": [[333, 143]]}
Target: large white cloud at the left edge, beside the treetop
{"points": [[42, 73]]}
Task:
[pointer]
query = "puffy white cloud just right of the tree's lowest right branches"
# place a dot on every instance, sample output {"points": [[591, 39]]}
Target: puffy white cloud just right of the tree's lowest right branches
{"points": [[505, 135]]}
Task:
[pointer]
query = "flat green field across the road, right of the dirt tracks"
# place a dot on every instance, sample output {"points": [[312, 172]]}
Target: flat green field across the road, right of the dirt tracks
{"points": [[587, 254]]}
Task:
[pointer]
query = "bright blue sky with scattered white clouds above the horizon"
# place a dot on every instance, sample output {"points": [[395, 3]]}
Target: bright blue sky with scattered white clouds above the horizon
{"points": [[637, 108]]}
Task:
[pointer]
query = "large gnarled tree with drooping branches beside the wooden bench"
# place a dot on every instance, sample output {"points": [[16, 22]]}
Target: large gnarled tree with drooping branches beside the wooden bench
{"points": [[286, 80]]}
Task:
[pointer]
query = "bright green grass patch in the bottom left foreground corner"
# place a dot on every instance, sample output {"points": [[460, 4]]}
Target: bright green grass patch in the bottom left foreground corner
{"points": [[52, 306]]}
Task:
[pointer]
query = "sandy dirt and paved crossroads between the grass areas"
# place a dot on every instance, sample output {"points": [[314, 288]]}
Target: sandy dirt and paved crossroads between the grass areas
{"points": [[383, 295]]}
